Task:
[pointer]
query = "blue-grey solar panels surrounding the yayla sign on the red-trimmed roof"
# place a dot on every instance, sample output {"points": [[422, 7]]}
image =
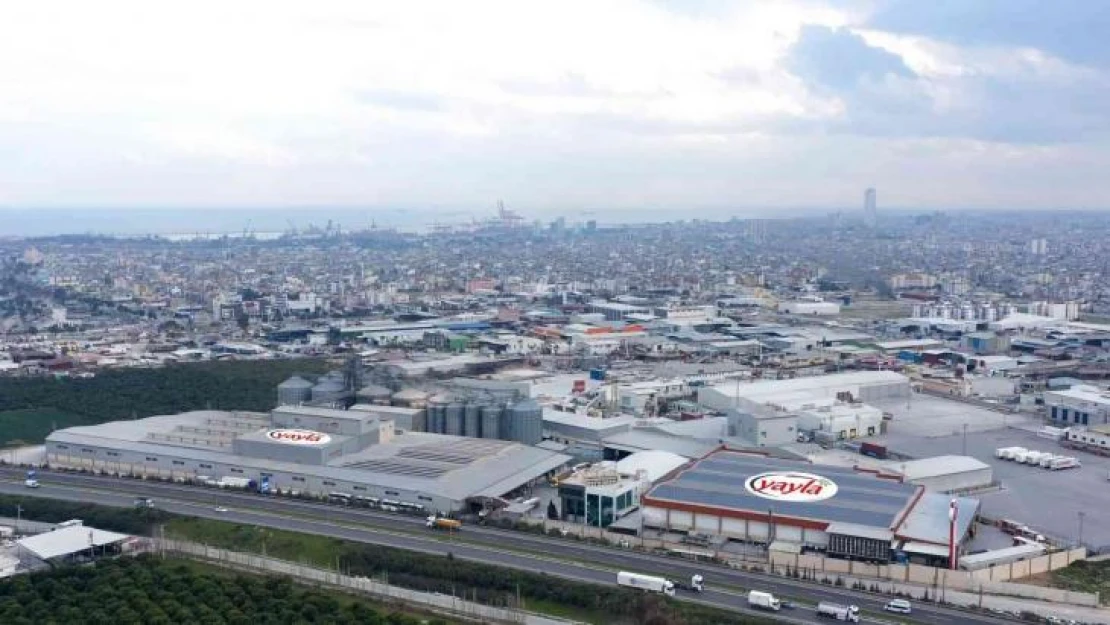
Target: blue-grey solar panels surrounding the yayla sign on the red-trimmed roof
{"points": [[719, 481]]}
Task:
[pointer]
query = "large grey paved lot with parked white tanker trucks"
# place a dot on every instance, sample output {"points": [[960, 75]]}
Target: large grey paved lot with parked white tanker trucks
{"points": [[1048, 501]]}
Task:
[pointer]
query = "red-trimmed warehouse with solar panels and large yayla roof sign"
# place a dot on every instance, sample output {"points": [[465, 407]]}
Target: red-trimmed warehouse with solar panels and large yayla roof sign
{"points": [[794, 506]]}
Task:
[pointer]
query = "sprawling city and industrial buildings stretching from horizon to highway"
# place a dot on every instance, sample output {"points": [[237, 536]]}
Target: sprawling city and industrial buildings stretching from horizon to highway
{"points": [[599, 380]]}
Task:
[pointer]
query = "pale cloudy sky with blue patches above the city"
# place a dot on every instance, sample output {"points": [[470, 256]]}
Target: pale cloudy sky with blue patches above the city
{"points": [[655, 106]]}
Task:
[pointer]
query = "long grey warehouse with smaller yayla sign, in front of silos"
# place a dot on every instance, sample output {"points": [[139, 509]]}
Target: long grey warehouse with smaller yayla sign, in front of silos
{"points": [[357, 455]]}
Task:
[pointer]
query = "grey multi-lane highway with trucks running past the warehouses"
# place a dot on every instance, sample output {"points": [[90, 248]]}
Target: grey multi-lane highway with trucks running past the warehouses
{"points": [[529, 552]]}
